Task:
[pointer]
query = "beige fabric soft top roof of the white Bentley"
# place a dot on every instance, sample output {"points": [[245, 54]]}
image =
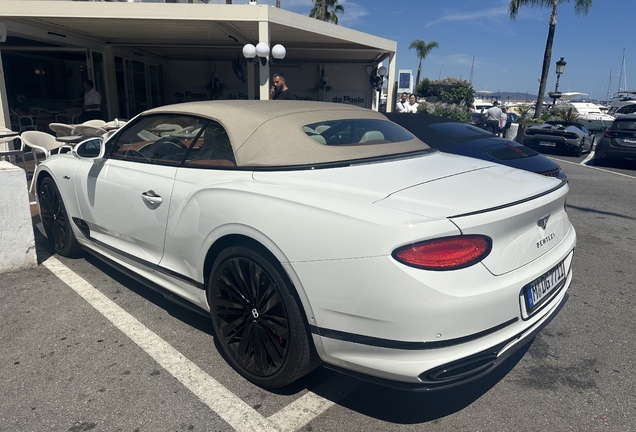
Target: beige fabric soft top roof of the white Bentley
{"points": [[269, 133]]}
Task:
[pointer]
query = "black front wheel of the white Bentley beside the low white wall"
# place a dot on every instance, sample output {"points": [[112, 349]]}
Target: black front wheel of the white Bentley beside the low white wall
{"points": [[55, 220]]}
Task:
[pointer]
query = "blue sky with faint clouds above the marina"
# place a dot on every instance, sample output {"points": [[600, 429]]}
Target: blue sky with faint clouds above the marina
{"points": [[508, 54]]}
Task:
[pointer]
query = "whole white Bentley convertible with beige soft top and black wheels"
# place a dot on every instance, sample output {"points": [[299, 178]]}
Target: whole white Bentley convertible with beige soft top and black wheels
{"points": [[318, 233]]}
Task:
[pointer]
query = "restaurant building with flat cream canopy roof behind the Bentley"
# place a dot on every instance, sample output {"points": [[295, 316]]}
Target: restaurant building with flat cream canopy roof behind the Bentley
{"points": [[146, 54]]}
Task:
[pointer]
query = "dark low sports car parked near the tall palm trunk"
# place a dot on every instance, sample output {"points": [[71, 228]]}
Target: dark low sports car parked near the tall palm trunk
{"points": [[571, 137]]}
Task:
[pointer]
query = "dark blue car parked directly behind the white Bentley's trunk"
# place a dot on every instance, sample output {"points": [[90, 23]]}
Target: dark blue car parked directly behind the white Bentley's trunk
{"points": [[449, 136]]}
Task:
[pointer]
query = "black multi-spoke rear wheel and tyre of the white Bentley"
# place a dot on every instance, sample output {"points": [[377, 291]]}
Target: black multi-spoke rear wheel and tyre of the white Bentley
{"points": [[257, 319]]}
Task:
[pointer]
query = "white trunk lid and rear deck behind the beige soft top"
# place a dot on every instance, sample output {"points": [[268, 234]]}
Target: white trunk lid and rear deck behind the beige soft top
{"points": [[435, 186]]}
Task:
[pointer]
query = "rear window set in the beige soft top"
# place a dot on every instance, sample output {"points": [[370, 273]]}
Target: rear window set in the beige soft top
{"points": [[356, 132]]}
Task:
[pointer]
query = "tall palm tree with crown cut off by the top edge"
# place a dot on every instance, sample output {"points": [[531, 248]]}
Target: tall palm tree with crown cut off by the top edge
{"points": [[581, 7]]}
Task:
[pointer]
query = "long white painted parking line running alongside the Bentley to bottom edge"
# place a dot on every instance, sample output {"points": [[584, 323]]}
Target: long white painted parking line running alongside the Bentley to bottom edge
{"points": [[228, 406]]}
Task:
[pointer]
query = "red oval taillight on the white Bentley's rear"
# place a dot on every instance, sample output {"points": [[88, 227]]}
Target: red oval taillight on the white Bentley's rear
{"points": [[448, 253]]}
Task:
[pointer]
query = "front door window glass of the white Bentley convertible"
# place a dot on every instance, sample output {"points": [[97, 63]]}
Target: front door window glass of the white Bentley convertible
{"points": [[161, 138]]}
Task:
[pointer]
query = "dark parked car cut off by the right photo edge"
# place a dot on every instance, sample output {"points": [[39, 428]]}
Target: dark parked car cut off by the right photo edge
{"points": [[618, 141]]}
